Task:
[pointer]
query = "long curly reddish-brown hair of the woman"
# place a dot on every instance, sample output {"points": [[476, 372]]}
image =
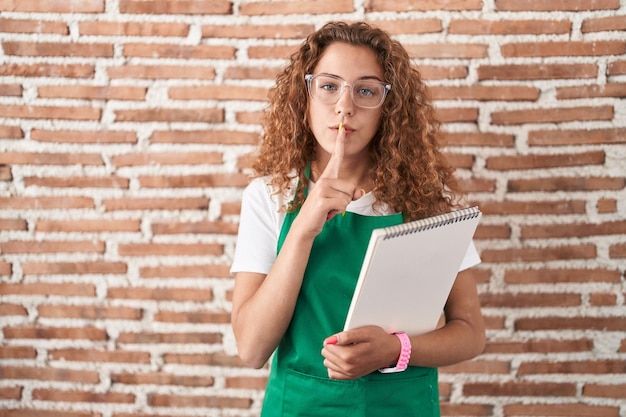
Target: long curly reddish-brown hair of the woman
{"points": [[409, 171]]}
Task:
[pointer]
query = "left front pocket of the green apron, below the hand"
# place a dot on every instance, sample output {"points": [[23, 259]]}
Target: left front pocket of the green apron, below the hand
{"points": [[313, 396]]}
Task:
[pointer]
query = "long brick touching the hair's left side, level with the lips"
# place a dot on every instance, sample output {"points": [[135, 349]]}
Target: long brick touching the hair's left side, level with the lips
{"points": [[205, 136]]}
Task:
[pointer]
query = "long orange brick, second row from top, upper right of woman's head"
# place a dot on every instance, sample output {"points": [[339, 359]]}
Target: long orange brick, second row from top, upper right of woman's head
{"points": [[509, 27]]}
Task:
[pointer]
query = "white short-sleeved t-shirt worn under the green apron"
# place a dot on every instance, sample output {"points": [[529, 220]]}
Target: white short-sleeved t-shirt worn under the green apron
{"points": [[261, 221]]}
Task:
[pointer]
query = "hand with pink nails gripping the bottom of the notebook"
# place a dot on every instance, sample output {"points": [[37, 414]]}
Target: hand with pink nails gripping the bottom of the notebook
{"points": [[355, 353]]}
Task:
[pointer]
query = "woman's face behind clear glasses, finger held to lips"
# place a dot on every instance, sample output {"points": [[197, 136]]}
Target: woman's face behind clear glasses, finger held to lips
{"points": [[350, 63]]}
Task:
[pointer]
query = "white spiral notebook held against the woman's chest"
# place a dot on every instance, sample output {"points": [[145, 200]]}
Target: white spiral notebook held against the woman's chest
{"points": [[409, 270]]}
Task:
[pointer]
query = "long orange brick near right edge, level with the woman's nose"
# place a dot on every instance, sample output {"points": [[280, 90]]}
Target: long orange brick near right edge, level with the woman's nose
{"points": [[552, 115]]}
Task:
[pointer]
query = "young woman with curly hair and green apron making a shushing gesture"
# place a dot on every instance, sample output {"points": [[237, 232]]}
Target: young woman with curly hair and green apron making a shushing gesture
{"points": [[350, 144]]}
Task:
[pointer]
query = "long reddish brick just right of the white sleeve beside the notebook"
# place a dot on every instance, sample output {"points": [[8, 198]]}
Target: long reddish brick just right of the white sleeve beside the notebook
{"points": [[583, 251]]}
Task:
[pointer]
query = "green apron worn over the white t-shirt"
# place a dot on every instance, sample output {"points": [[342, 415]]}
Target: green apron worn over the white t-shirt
{"points": [[298, 384]]}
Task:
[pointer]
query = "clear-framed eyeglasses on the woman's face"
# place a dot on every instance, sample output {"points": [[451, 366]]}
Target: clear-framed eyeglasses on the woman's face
{"points": [[327, 89]]}
